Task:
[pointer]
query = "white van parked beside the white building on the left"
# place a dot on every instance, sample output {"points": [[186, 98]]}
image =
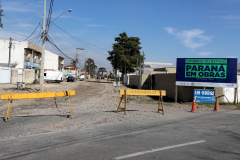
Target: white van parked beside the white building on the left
{"points": [[53, 76]]}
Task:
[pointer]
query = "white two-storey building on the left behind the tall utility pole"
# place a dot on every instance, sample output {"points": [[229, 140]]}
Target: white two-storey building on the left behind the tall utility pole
{"points": [[26, 55]]}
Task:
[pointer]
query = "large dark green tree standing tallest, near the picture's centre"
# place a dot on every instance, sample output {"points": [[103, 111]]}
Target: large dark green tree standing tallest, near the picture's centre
{"points": [[125, 53]]}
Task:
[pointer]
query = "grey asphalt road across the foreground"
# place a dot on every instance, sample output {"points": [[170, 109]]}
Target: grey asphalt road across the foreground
{"points": [[206, 135]]}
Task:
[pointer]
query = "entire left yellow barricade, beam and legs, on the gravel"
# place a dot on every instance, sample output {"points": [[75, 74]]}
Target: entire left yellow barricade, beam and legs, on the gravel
{"points": [[12, 96]]}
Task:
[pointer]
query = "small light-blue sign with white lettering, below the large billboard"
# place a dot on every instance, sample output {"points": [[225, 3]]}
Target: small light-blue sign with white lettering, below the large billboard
{"points": [[207, 96]]}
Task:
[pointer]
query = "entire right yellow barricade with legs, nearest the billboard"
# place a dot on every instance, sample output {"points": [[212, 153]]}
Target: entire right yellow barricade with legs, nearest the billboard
{"points": [[125, 92]]}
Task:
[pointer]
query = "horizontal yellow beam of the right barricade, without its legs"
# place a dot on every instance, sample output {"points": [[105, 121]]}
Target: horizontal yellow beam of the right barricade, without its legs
{"points": [[137, 92]]}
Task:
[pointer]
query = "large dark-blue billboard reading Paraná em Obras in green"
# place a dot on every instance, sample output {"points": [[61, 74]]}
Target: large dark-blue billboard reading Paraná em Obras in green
{"points": [[207, 72]]}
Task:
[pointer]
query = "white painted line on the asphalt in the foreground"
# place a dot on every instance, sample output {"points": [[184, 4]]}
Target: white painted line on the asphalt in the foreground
{"points": [[159, 149]]}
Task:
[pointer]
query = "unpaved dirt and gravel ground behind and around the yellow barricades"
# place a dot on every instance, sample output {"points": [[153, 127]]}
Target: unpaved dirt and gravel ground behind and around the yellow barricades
{"points": [[95, 103]]}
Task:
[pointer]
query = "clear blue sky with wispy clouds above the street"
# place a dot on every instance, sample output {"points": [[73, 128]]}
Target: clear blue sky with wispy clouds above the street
{"points": [[168, 29]]}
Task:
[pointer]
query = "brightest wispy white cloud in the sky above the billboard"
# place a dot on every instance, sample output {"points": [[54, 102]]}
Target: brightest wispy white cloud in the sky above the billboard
{"points": [[194, 38]]}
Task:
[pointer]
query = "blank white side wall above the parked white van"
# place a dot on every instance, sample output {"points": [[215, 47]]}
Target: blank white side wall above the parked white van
{"points": [[51, 60]]}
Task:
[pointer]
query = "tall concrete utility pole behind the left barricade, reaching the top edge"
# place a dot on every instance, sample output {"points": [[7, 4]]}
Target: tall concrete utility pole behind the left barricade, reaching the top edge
{"points": [[43, 48]]}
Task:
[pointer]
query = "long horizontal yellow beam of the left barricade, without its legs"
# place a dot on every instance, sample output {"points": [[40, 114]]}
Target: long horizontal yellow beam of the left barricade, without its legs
{"points": [[37, 95]]}
